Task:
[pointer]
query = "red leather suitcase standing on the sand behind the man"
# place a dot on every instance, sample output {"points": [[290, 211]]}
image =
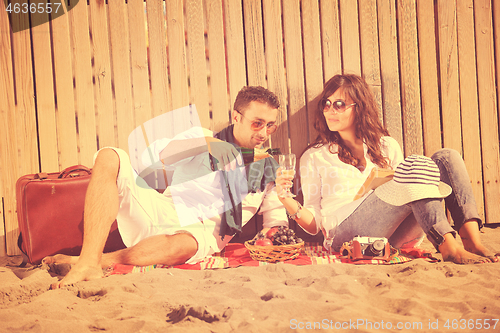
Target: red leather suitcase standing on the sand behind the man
{"points": [[50, 214]]}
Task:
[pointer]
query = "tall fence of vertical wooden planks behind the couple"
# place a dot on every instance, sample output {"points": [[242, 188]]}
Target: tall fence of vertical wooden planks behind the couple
{"points": [[88, 78]]}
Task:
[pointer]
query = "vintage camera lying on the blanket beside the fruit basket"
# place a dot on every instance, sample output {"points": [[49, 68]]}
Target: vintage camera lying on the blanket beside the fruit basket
{"points": [[366, 248]]}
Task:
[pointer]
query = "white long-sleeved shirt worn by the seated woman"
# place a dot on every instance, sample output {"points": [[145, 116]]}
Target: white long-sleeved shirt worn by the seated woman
{"points": [[329, 185]]}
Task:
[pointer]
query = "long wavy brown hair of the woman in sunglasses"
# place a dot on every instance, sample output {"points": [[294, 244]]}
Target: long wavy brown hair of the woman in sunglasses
{"points": [[368, 126]]}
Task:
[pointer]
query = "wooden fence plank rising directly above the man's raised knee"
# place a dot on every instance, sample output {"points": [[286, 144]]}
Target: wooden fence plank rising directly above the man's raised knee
{"points": [[107, 134]]}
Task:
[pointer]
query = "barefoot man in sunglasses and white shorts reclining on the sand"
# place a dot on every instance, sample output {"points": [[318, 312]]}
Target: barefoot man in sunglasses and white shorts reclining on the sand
{"points": [[149, 223]]}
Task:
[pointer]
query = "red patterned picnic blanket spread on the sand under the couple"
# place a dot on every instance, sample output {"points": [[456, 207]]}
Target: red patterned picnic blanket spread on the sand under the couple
{"points": [[236, 254]]}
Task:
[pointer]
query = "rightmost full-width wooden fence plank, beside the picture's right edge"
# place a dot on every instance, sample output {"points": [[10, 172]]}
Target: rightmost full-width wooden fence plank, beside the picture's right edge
{"points": [[488, 108]]}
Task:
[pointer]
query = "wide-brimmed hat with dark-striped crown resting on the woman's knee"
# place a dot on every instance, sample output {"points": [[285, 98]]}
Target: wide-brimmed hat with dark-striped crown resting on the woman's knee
{"points": [[417, 177]]}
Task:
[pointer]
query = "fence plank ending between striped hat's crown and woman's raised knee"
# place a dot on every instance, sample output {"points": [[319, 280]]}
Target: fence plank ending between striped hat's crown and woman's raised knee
{"points": [[429, 89]]}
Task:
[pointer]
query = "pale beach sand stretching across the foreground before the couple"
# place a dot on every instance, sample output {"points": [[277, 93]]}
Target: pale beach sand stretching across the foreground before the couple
{"points": [[418, 296]]}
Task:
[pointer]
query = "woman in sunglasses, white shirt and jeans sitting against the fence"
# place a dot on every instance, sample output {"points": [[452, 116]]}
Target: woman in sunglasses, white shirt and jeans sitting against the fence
{"points": [[350, 144]]}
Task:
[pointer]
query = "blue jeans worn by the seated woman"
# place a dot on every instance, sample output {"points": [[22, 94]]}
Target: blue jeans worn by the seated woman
{"points": [[405, 226]]}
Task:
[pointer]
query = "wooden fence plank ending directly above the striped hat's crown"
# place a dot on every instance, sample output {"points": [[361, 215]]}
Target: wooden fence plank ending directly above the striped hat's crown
{"points": [[410, 83]]}
